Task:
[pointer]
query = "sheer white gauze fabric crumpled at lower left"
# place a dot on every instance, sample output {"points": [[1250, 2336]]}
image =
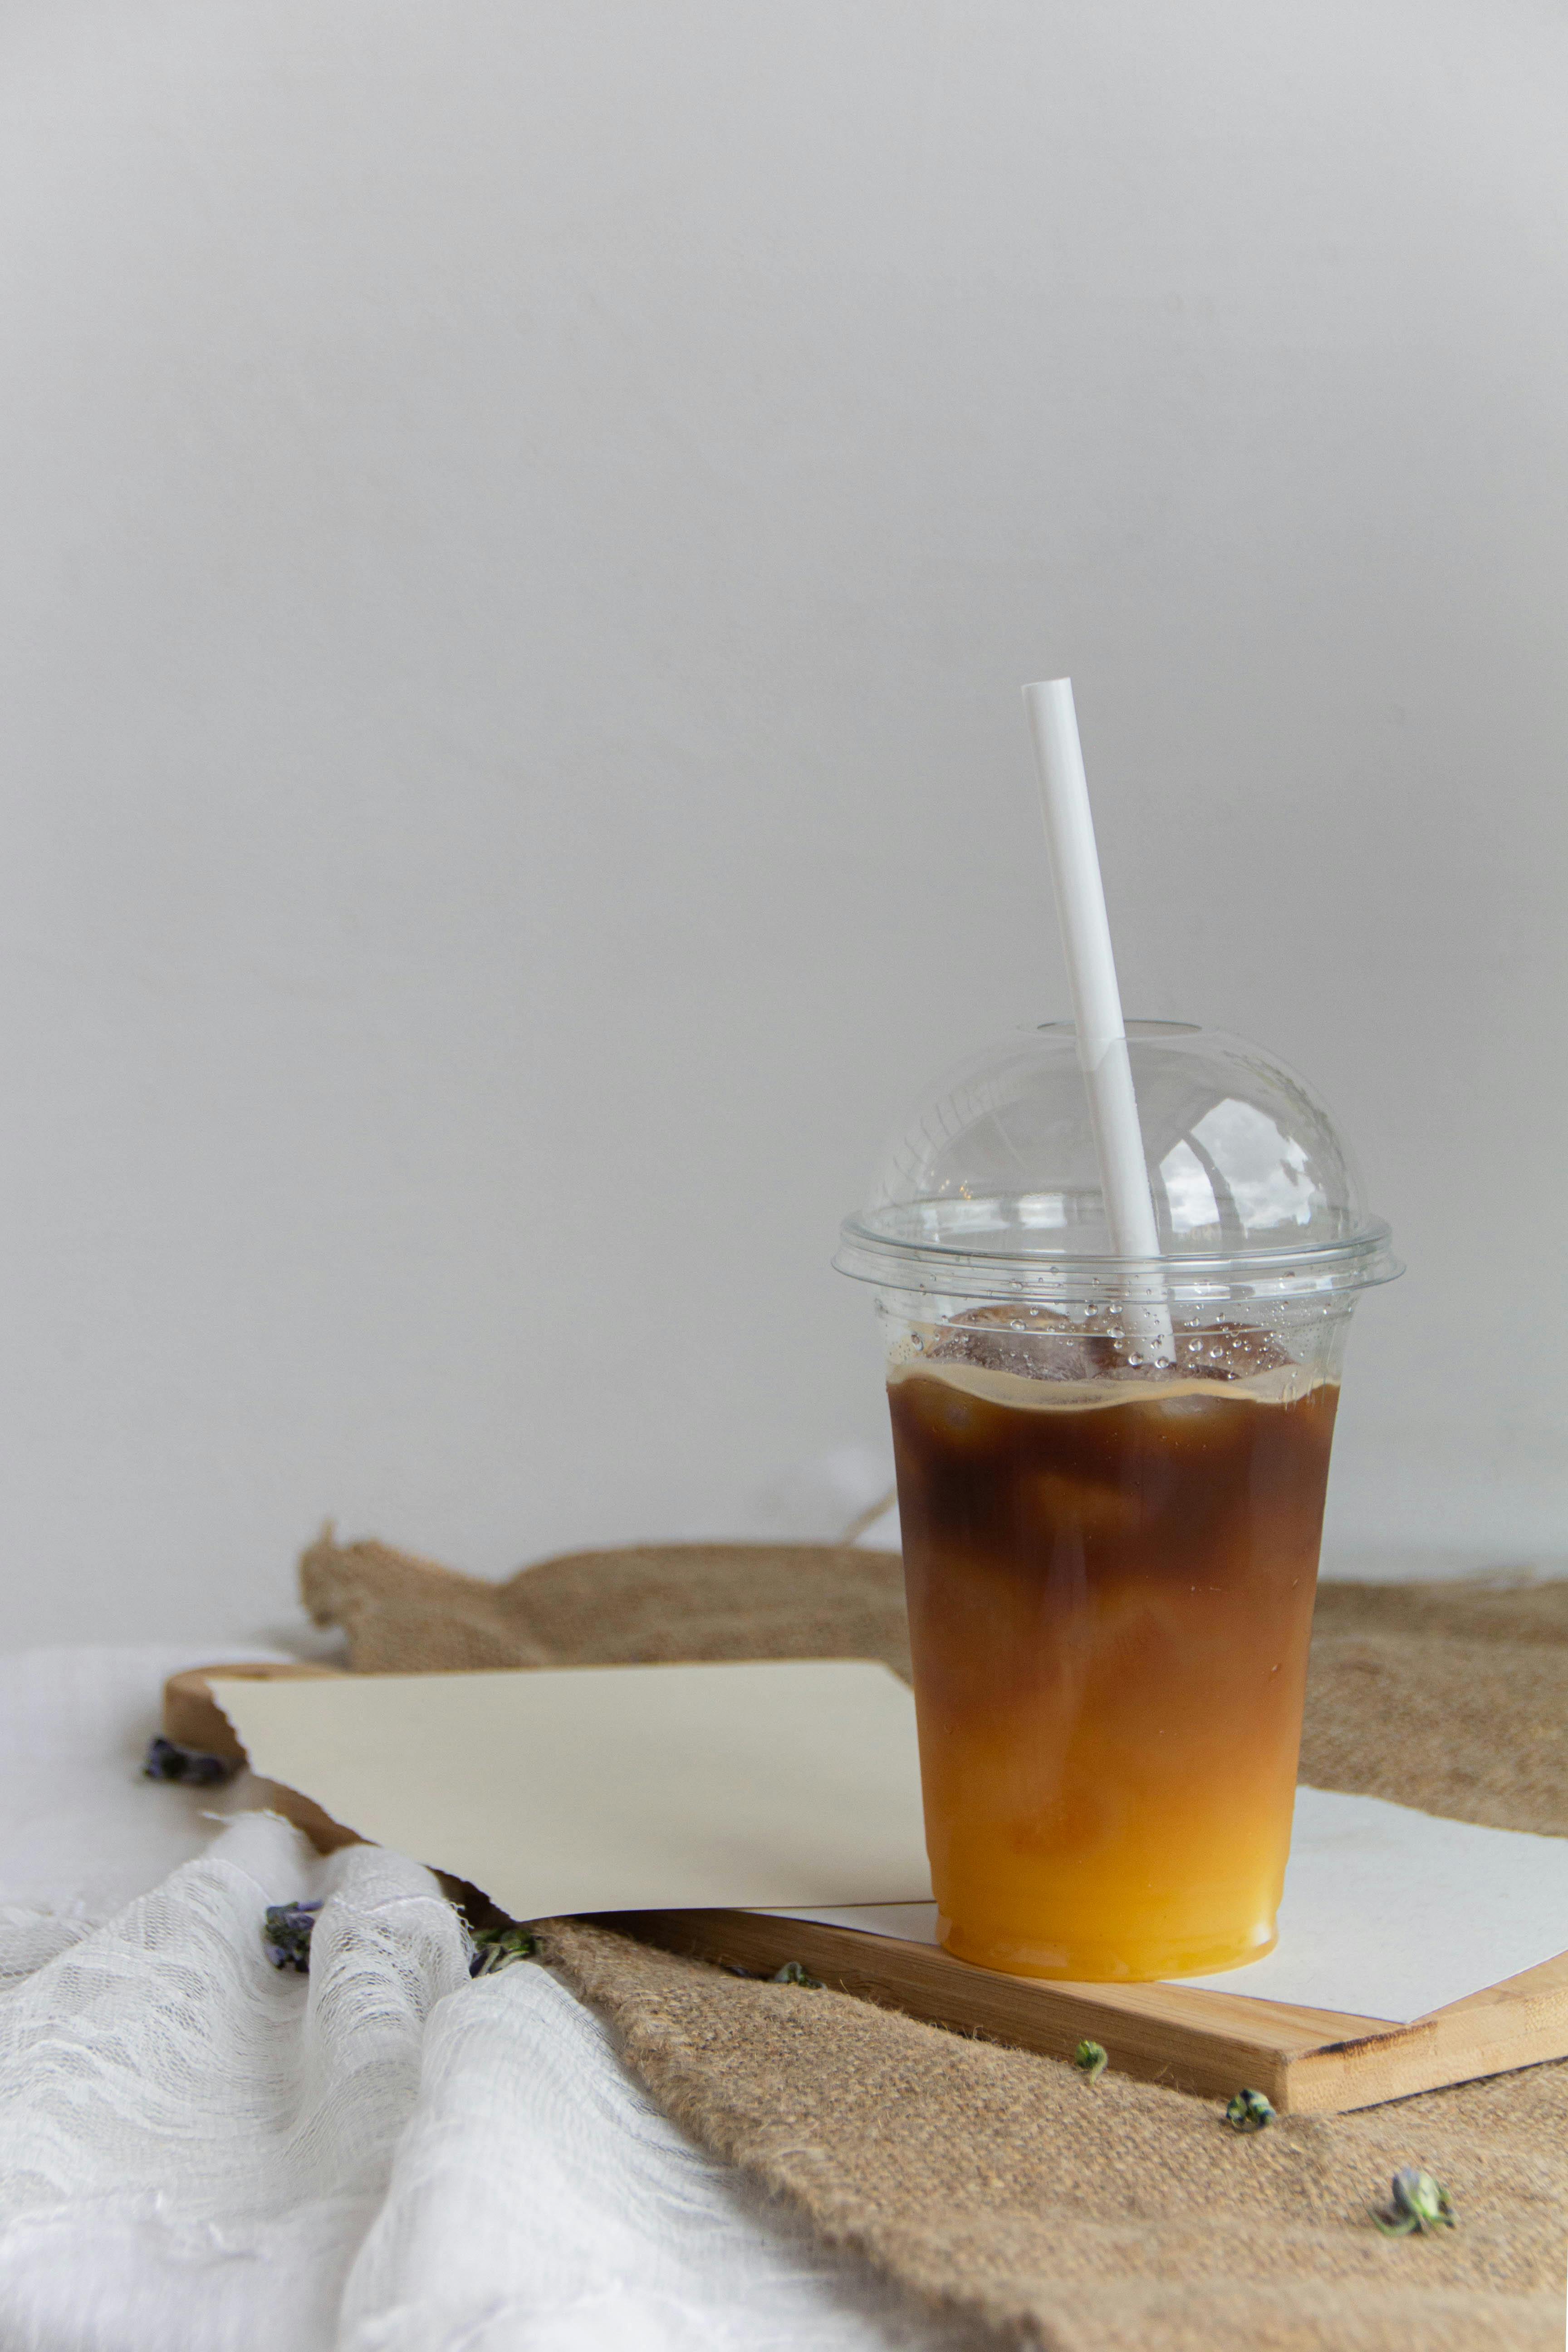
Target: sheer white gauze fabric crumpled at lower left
{"points": [[201, 2153]]}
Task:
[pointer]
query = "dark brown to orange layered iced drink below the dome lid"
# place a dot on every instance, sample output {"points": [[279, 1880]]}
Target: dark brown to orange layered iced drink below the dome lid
{"points": [[1111, 1570]]}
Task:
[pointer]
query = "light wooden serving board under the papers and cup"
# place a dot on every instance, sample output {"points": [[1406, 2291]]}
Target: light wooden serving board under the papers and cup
{"points": [[1306, 2062]]}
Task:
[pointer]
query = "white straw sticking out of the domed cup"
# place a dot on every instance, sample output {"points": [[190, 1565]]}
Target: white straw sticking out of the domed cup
{"points": [[1097, 1001]]}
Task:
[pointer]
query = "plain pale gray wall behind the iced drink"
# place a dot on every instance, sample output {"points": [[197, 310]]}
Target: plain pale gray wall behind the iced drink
{"points": [[525, 526]]}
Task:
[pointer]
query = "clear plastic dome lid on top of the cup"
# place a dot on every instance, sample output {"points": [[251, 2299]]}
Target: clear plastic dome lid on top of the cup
{"points": [[993, 1187]]}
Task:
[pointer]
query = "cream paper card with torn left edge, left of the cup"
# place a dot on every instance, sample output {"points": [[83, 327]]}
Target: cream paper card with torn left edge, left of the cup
{"points": [[615, 1786]]}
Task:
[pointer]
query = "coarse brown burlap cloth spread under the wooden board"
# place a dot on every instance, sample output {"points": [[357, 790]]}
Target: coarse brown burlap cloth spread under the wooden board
{"points": [[993, 2184]]}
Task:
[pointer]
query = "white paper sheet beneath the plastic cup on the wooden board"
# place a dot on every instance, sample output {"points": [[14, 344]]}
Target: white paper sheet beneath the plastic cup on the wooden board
{"points": [[1388, 1913]]}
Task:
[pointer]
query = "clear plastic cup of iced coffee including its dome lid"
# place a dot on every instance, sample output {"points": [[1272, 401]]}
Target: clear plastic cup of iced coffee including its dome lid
{"points": [[1111, 1551]]}
